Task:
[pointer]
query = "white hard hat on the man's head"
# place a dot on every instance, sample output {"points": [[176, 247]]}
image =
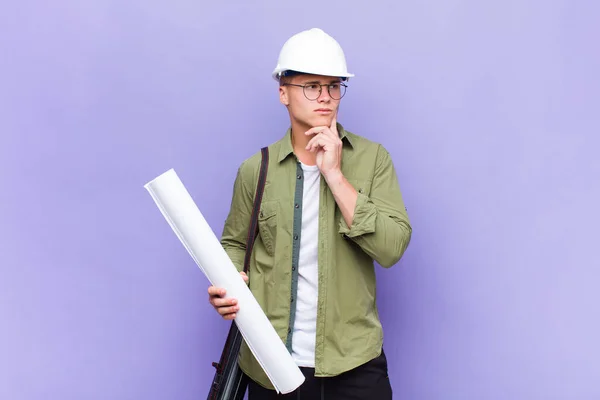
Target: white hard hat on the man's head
{"points": [[312, 52]]}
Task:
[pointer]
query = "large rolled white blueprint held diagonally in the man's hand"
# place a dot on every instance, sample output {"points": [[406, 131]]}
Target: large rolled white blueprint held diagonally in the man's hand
{"points": [[188, 223]]}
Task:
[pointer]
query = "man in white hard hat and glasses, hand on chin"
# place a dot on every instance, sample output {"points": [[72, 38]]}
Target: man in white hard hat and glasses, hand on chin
{"points": [[331, 207]]}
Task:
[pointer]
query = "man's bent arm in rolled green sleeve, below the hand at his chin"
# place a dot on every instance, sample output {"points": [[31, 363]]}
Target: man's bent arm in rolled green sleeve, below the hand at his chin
{"points": [[378, 223]]}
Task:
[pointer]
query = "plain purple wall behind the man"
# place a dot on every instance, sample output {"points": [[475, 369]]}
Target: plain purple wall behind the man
{"points": [[491, 113]]}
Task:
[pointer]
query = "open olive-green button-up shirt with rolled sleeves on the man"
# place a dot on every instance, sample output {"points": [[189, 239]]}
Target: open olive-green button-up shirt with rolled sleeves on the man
{"points": [[349, 331]]}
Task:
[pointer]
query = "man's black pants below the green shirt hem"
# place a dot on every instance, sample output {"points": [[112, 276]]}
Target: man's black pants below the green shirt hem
{"points": [[369, 381]]}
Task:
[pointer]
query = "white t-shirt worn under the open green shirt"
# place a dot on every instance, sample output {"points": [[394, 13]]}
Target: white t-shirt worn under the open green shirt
{"points": [[305, 324]]}
